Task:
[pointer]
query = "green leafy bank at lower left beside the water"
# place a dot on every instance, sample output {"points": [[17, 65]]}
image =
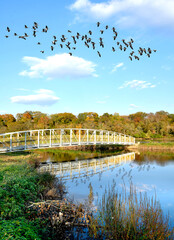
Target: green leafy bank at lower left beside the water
{"points": [[20, 185]]}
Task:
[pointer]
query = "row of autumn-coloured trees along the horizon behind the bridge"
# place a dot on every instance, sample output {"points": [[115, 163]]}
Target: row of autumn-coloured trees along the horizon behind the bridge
{"points": [[140, 124]]}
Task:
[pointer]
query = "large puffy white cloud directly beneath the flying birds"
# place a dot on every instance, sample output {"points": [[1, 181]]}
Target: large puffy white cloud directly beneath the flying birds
{"points": [[58, 66]]}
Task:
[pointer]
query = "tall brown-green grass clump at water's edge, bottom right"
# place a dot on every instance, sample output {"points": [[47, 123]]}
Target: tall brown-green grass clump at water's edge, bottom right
{"points": [[130, 216]]}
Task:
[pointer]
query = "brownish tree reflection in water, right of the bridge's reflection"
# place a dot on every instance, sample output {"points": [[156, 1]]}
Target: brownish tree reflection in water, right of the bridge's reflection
{"points": [[161, 158]]}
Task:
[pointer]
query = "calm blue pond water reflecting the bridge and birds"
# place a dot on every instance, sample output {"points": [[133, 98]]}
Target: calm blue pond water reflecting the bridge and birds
{"points": [[149, 172]]}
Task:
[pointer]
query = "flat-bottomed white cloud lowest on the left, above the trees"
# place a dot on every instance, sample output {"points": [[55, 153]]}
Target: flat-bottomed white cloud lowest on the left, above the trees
{"points": [[43, 97]]}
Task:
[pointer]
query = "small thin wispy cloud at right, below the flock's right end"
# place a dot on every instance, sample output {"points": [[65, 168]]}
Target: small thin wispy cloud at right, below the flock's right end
{"points": [[137, 84]]}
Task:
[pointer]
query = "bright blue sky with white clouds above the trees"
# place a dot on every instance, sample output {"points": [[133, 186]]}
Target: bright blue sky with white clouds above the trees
{"points": [[55, 82]]}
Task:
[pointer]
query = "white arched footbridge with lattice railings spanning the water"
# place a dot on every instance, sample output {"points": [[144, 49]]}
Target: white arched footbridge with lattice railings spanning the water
{"points": [[22, 140]]}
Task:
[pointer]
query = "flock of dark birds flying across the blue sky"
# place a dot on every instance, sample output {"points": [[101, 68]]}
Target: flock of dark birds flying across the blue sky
{"points": [[65, 42]]}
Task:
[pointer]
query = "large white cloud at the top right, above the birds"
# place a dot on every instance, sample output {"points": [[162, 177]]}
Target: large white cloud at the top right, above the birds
{"points": [[129, 12]]}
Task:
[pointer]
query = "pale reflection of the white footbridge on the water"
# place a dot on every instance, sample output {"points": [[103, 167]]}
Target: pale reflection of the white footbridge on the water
{"points": [[84, 168]]}
